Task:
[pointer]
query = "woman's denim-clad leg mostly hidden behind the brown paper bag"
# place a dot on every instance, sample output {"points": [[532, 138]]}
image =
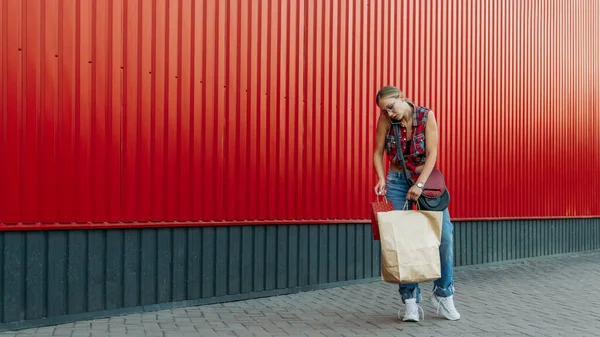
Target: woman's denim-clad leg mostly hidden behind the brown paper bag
{"points": [[397, 188]]}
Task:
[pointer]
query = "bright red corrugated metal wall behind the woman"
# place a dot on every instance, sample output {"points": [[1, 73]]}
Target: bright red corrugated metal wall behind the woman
{"points": [[160, 111]]}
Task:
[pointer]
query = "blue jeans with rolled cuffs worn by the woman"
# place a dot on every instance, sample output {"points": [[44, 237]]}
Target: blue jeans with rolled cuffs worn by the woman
{"points": [[397, 188]]}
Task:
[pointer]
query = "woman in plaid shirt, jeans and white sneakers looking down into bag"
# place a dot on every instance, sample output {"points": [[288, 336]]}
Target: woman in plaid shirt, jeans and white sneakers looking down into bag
{"points": [[419, 146]]}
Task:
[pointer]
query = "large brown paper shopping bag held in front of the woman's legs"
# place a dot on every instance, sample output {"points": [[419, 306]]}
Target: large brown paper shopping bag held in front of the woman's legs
{"points": [[410, 242]]}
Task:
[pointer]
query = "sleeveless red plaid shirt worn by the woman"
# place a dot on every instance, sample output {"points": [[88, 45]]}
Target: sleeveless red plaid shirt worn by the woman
{"points": [[414, 156]]}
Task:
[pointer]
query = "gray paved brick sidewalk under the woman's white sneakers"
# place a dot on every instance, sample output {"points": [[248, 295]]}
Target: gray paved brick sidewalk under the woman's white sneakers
{"points": [[556, 296]]}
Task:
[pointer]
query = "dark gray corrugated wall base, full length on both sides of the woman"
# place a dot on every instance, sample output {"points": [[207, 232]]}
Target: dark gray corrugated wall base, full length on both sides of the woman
{"points": [[64, 275]]}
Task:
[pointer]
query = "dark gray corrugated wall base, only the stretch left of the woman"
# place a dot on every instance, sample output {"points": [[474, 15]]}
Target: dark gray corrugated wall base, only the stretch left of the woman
{"points": [[52, 274]]}
